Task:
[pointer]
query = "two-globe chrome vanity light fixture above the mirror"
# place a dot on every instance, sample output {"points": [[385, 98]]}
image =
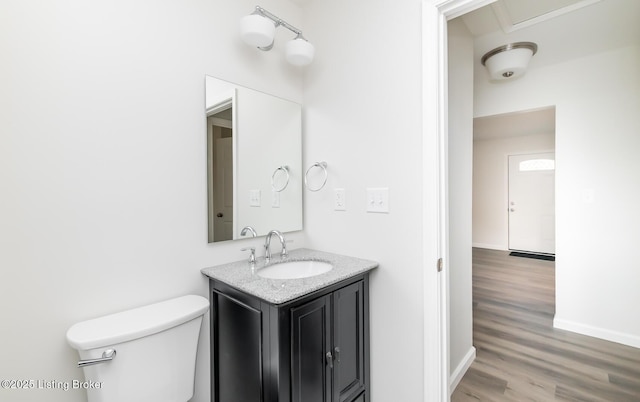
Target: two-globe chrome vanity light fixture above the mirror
{"points": [[258, 29]]}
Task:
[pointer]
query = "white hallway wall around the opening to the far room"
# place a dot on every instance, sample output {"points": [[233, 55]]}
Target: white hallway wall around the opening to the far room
{"points": [[597, 100]]}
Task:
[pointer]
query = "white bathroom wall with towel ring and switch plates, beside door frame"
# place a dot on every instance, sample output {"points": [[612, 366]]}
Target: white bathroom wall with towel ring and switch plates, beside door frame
{"points": [[363, 117]]}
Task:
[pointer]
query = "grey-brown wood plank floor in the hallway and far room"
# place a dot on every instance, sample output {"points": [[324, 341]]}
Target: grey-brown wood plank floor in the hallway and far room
{"points": [[521, 357]]}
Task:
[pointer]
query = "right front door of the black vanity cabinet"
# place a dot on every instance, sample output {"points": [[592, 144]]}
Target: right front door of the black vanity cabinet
{"points": [[348, 342]]}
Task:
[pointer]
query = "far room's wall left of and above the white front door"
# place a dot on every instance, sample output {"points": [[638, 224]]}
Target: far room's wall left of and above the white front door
{"points": [[490, 185]]}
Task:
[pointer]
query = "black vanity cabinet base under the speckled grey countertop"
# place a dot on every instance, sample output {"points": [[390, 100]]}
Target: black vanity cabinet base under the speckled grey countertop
{"points": [[311, 349]]}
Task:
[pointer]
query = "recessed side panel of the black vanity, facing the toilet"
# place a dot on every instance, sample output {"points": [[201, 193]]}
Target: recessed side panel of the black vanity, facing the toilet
{"points": [[237, 350]]}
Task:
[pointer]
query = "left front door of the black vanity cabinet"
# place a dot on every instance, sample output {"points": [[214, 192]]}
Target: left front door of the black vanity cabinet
{"points": [[311, 367]]}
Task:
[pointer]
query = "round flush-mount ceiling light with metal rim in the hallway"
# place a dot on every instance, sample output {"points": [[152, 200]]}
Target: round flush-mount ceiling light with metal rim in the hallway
{"points": [[509, 61]]}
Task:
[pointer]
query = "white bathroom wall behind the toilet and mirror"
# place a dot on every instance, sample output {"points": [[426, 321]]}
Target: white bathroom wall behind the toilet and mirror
{"points": [[102, 165]]}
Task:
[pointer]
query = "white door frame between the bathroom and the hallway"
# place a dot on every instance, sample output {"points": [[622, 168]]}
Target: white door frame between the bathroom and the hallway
{"points": [[435, 14]]}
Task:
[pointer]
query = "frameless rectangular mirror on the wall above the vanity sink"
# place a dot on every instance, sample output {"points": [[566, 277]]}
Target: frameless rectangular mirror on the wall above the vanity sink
{"points": [[254, 161]]}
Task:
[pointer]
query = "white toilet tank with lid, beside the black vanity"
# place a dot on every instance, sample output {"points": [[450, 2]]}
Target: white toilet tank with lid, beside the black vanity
{"points": [[155, 348]]}
